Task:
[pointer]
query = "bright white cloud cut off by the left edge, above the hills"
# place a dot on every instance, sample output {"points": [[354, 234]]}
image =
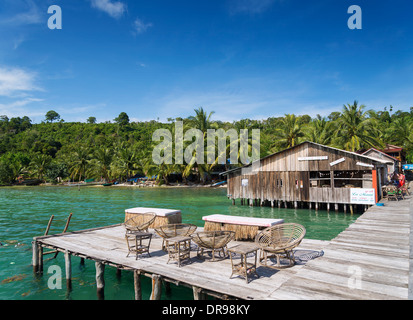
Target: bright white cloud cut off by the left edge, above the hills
{"points": [[16, 81]]}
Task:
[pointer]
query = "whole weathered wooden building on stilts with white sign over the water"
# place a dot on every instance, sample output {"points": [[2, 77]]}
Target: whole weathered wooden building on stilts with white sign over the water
{"points": [[309, 174]]}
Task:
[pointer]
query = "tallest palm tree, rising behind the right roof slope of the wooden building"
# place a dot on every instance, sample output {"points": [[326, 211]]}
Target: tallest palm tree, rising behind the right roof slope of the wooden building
{"points": [[355, 129]]}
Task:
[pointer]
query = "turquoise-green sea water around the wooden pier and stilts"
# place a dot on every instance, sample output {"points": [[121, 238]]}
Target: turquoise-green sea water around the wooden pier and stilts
{"points": [[25, 211]]}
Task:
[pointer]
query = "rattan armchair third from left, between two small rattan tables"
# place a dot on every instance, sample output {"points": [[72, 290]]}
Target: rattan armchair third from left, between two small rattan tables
{"points": [[212, 241]]}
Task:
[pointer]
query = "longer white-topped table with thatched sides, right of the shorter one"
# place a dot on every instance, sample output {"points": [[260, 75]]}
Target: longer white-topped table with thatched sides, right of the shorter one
{"points": [[245, 228]]}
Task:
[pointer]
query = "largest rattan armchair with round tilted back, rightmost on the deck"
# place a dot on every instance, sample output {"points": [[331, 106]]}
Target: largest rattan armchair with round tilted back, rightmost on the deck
{"points": [[279, 241]]}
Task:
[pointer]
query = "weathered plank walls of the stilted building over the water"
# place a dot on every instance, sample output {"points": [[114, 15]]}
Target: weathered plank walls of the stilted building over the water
{"points": [[285, 177]]}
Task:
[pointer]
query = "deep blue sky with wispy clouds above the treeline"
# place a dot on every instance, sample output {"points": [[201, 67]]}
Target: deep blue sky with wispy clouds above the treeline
{"points": [[240, 58]]}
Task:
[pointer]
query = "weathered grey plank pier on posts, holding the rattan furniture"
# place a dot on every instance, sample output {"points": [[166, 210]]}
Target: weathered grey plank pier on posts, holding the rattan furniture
{"points": [[369, 260]]}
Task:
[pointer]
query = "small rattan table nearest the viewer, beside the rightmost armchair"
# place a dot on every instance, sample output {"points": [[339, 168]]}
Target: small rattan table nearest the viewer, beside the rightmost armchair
{"points": [[244, 268]]}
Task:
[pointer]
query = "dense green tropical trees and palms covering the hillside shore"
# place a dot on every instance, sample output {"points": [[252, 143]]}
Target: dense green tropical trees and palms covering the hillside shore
{"points": [[55, 150]]}
